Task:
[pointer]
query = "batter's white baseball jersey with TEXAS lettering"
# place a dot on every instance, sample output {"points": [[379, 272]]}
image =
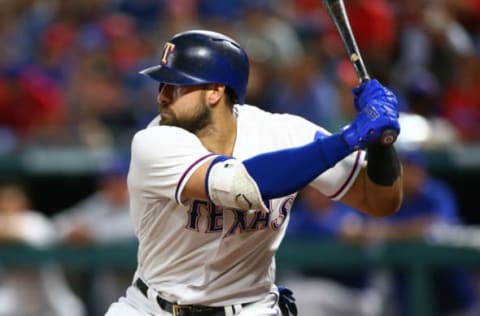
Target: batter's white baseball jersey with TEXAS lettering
{"points": [[194, 252]]}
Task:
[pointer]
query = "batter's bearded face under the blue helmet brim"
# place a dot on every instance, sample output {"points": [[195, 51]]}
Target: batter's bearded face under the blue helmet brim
{"points": [[184, 107]]}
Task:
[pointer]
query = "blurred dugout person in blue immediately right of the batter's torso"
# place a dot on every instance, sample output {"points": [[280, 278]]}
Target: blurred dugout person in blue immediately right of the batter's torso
{"points": [[326, 292]]}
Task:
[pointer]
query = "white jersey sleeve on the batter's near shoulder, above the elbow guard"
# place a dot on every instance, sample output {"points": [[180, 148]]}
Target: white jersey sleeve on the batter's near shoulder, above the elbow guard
{"points": [[163, 159]]}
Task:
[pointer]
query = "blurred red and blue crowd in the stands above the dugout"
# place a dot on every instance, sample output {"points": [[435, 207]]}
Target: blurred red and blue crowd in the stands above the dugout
{"points": [[69, 69]]}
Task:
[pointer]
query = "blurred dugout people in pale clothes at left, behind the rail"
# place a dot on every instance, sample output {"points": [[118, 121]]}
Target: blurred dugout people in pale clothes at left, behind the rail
{"points": [[50, 289]]}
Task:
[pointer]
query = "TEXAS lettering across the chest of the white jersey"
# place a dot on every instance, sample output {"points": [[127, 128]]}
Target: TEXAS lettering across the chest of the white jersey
{"points": [[207, 217]]}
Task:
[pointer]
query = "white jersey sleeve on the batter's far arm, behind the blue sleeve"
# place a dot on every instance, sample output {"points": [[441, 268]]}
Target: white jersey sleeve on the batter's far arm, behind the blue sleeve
{"points": [[336, 181]]}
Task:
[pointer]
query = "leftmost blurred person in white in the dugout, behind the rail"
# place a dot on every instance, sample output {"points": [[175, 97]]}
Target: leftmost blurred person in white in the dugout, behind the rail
{"points": [[27, 291]]}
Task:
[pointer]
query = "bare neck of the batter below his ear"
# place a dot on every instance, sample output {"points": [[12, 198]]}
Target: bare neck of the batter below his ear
{"points": [[219, 137]]}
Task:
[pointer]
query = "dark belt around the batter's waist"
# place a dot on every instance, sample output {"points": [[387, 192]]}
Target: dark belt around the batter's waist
{"points": [[181, 310]]}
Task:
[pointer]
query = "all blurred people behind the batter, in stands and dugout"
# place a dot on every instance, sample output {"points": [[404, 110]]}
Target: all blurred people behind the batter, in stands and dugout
{"points": [[69, 76]]}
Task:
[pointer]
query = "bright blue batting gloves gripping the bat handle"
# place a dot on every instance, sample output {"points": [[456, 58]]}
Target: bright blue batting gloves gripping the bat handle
{"points": [[377, 111]]}
